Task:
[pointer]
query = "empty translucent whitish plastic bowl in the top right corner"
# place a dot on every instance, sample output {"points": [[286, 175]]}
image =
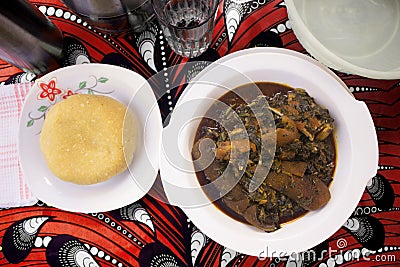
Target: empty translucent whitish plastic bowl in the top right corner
{"points": [[356, 37]]}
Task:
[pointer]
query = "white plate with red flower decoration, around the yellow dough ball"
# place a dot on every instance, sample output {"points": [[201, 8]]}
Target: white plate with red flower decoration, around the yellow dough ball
{"points": [[121, 84]]}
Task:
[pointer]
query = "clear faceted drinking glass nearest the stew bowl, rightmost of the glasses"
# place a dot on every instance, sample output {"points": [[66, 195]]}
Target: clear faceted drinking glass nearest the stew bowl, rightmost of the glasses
{"points": [[187, 24]]}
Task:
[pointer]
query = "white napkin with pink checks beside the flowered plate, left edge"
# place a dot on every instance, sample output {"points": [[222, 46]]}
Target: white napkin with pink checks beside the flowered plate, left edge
{"points": [[13, 190]]}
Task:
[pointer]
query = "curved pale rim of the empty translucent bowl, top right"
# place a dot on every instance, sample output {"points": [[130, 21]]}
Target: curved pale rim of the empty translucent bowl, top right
{"points": [[326, 56]]}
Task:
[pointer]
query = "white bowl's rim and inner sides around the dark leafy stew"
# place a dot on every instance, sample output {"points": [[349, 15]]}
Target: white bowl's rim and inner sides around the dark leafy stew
{"points": [[357, 150]]}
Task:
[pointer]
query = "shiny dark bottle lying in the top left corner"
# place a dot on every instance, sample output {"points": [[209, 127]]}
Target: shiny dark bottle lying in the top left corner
{"points": [[28, 39]]}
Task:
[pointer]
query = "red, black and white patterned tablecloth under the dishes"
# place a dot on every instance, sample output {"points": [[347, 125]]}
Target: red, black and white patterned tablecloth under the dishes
{"points": [[151, 233]]}
